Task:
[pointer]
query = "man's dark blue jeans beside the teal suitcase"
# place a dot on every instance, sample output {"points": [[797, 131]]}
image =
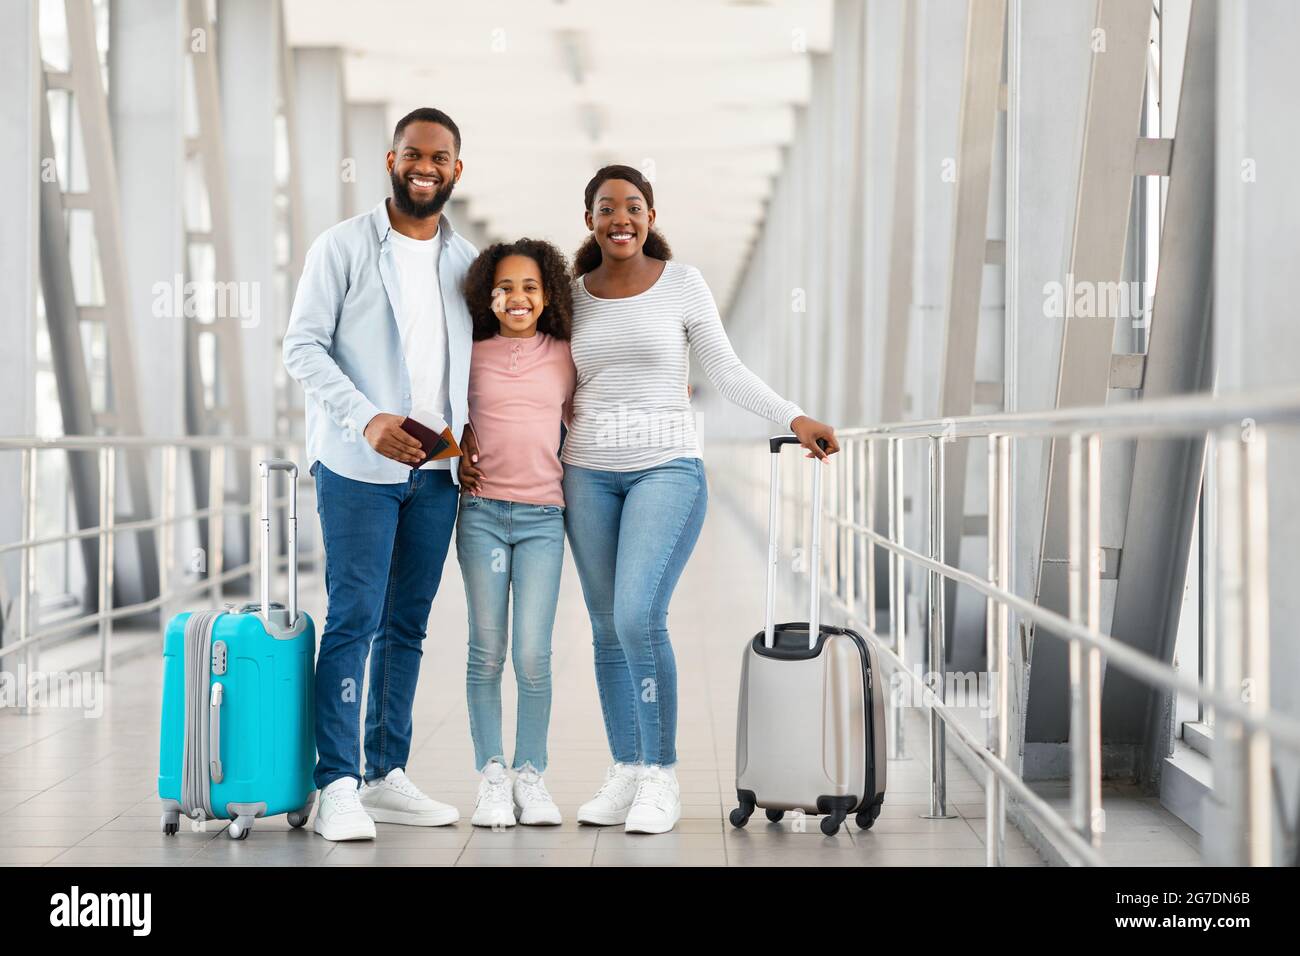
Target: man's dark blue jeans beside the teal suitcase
{"points": [[384, 552]]}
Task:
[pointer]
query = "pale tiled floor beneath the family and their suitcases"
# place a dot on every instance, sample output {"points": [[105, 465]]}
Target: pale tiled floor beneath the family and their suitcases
{"points": [[83, 791]]}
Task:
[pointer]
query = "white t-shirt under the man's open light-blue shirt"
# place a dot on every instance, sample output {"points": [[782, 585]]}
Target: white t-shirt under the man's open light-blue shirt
{"points": [[423, 325]]}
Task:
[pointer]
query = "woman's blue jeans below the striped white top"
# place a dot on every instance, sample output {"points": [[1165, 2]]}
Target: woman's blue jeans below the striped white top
{"points": [[631, 534]]}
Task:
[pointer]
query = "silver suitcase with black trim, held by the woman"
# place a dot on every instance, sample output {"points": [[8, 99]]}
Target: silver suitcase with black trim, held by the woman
{"points": [[811, 728]]}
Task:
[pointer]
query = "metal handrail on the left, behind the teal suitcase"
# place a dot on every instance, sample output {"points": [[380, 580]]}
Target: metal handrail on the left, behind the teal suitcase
{"points": [[216, 511]]}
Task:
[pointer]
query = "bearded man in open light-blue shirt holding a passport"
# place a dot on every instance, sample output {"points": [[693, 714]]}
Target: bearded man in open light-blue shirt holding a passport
{"points": [[379, 328]]}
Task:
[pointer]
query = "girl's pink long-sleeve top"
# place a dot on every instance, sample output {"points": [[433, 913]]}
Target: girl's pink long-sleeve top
{"points": [[521, 391]]}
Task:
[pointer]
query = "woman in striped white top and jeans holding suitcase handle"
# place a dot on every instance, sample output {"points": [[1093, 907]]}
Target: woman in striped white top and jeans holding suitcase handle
{"points": [[634, 479]]}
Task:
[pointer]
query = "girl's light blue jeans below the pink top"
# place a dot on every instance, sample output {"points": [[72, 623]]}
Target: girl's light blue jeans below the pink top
{"points": [[505, 548]]}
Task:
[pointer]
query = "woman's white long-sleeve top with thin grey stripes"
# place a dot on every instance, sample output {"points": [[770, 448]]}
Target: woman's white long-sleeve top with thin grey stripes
{"points": [[631, 409]]}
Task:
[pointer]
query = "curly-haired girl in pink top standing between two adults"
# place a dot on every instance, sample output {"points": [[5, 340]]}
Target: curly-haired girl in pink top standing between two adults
{"points": [[510, 534]]}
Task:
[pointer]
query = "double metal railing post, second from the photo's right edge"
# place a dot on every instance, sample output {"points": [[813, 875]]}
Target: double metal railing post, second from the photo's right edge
{"points": [[1085, 535]]}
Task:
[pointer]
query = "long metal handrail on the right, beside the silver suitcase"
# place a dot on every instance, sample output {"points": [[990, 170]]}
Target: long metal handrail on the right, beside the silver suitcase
{"points": [[1234, 426]]}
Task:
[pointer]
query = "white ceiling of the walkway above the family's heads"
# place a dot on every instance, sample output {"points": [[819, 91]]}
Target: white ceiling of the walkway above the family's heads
{"points": [[699, 94]]}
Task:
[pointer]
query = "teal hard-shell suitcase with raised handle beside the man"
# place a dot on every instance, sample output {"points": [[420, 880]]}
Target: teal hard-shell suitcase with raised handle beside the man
{"points": [[239, 736]]}
